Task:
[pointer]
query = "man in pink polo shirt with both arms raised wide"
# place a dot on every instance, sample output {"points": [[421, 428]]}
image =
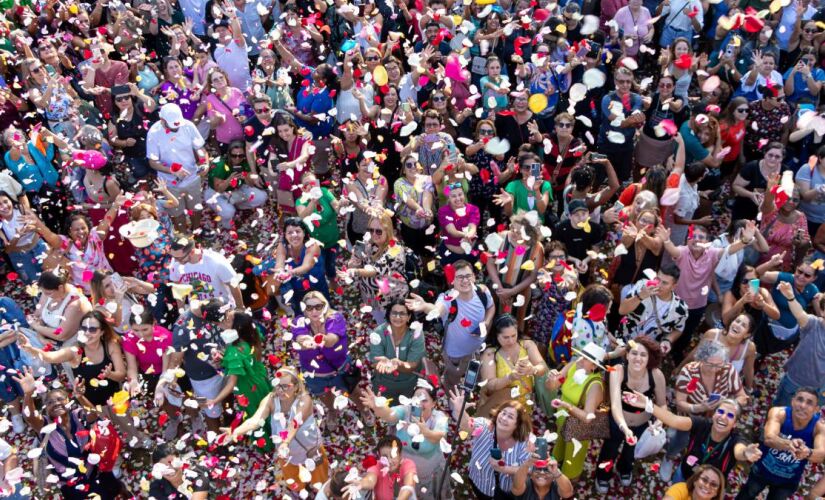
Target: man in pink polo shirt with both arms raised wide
{"points": [[697, 262]]}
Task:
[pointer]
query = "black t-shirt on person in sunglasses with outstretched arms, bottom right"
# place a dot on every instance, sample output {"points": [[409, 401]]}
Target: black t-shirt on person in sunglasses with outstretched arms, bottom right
{"points": [[706, 451]]}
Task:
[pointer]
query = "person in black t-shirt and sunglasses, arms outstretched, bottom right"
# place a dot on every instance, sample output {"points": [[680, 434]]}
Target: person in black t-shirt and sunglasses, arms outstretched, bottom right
{"points": [[713, 441]]}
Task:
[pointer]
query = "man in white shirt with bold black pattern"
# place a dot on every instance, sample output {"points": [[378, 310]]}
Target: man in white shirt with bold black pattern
{"points": [[652, 308]]}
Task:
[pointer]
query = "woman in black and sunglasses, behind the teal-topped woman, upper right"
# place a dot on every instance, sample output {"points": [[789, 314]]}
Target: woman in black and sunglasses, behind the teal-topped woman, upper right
{"points": [[655, 144]]}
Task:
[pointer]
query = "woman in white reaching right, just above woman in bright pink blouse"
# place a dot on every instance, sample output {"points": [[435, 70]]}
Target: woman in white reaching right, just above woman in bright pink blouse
{"points": [[116, 296]]}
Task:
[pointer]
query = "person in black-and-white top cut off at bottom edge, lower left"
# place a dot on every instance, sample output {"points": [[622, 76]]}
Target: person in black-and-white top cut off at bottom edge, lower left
{"points": [[169, 476]]}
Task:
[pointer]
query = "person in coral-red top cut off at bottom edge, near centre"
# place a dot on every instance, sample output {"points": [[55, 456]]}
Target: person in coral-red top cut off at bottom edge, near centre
{"points": [[395, 473]]}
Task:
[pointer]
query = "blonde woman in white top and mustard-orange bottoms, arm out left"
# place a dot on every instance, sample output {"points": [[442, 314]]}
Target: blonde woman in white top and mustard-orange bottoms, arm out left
{"points": [[291, 414]]}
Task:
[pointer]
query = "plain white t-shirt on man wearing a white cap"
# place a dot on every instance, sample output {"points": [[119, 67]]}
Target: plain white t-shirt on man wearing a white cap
{"points": [[175, 147]]}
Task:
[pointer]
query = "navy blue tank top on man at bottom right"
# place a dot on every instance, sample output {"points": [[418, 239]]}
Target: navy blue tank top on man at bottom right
{"points": [[779, 467]]}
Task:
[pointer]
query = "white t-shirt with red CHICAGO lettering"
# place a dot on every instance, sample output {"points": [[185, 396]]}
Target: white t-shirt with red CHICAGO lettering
{"points": [[210, 278]]}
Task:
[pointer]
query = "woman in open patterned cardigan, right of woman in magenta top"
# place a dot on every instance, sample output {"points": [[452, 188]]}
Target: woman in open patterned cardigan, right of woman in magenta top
{"points": [[508, 270]]}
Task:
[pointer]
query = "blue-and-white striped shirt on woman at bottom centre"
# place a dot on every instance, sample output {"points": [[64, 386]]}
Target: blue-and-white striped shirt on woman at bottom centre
{"points": [[481, 473]]}
